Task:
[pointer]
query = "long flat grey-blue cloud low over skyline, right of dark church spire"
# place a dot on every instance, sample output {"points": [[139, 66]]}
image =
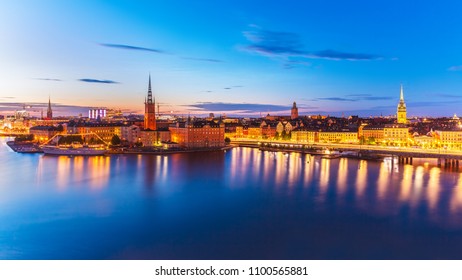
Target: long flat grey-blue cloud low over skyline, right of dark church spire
{"points": [[241, 107]]}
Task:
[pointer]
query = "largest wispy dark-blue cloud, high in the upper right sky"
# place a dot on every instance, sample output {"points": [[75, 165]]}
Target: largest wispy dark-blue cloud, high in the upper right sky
{"points": [[287, 45]]}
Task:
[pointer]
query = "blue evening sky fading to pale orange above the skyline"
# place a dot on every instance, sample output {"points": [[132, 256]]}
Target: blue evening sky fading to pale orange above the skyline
{"points": [[240, 57]]}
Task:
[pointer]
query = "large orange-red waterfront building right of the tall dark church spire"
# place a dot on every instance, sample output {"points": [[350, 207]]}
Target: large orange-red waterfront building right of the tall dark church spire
{"points": [[198, 134]]}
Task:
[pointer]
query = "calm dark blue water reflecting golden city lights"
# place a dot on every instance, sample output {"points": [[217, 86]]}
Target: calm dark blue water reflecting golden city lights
{"points": [[242, 204]]}
